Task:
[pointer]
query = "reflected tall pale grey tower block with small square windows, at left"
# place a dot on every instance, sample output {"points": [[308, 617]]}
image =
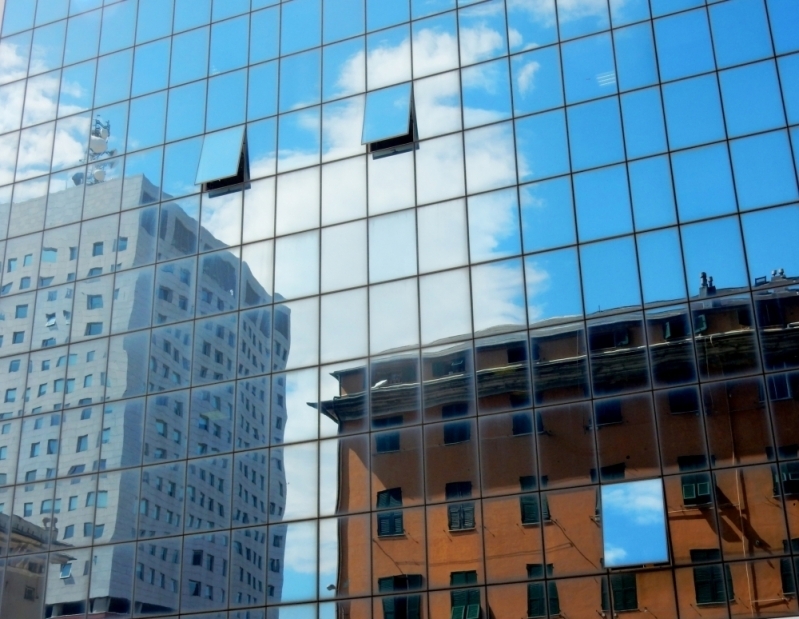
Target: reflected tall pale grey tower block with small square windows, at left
{"points": [[80, 411]]}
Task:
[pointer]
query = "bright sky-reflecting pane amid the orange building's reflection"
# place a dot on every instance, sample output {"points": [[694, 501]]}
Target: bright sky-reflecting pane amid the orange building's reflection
{"points": [[634, 524]]}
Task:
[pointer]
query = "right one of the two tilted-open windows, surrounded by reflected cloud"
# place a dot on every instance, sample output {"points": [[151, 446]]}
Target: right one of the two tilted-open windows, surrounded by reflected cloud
{"points": [[388, 125]]}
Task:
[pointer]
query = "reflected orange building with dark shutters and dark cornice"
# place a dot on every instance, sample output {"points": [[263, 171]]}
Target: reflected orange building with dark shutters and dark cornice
{"points": [[512, 448]]}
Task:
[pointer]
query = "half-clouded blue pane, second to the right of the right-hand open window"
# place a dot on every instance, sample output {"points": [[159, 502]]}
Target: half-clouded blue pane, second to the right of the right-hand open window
{"points": [[486, 93]]}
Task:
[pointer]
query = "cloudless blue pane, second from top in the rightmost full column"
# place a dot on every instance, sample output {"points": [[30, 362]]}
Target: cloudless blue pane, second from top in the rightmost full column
{"points": [[751, 98]]}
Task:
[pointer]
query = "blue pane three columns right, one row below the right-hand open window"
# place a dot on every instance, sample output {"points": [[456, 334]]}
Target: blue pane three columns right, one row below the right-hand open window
{"points": [[541, 148]]}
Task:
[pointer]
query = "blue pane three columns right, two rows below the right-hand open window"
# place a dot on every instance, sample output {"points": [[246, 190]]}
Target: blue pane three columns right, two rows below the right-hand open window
{"points": [[547, 214]]}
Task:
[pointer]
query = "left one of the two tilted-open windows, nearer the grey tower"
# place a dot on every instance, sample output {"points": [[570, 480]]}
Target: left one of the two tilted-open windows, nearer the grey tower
{"points": [[224, 164]]}
